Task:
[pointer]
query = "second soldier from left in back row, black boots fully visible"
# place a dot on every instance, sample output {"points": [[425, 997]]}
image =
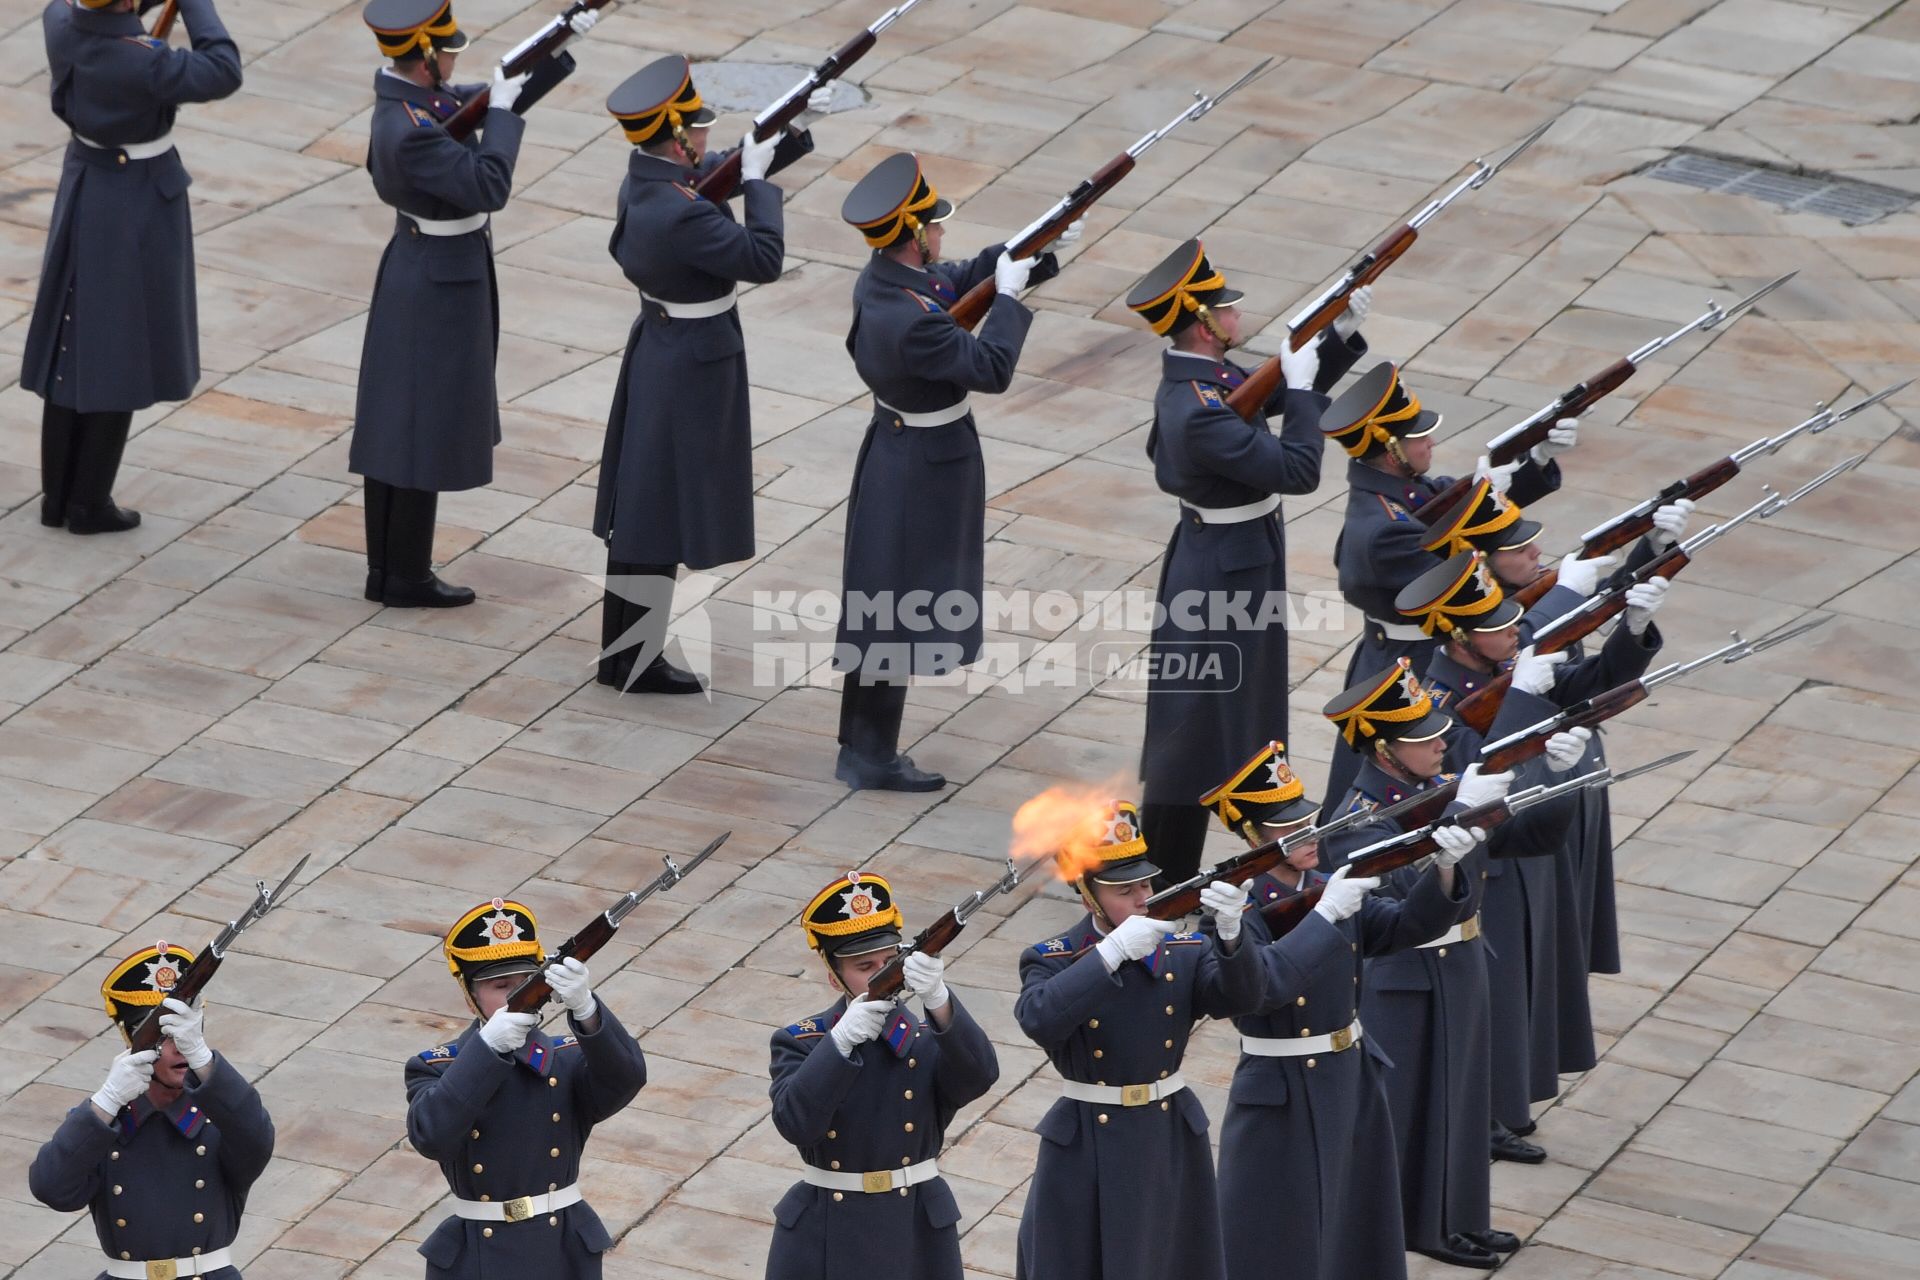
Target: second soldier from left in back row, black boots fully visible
{"points": [[427, 415]]}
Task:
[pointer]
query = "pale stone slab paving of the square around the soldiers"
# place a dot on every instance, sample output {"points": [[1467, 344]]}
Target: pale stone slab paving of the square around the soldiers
{"points": [[195, 705]]}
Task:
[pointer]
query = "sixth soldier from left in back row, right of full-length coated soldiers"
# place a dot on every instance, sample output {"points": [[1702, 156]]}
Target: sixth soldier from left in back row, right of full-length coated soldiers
{"points": [[1383, 546]]}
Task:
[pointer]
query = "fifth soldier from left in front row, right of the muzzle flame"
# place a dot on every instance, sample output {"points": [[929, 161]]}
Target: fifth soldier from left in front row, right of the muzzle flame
{"points": [[1307, 1110]]}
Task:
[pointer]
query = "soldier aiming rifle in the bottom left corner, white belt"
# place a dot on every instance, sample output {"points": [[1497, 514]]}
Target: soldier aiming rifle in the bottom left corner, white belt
{"points": [[164, 1156]]}
